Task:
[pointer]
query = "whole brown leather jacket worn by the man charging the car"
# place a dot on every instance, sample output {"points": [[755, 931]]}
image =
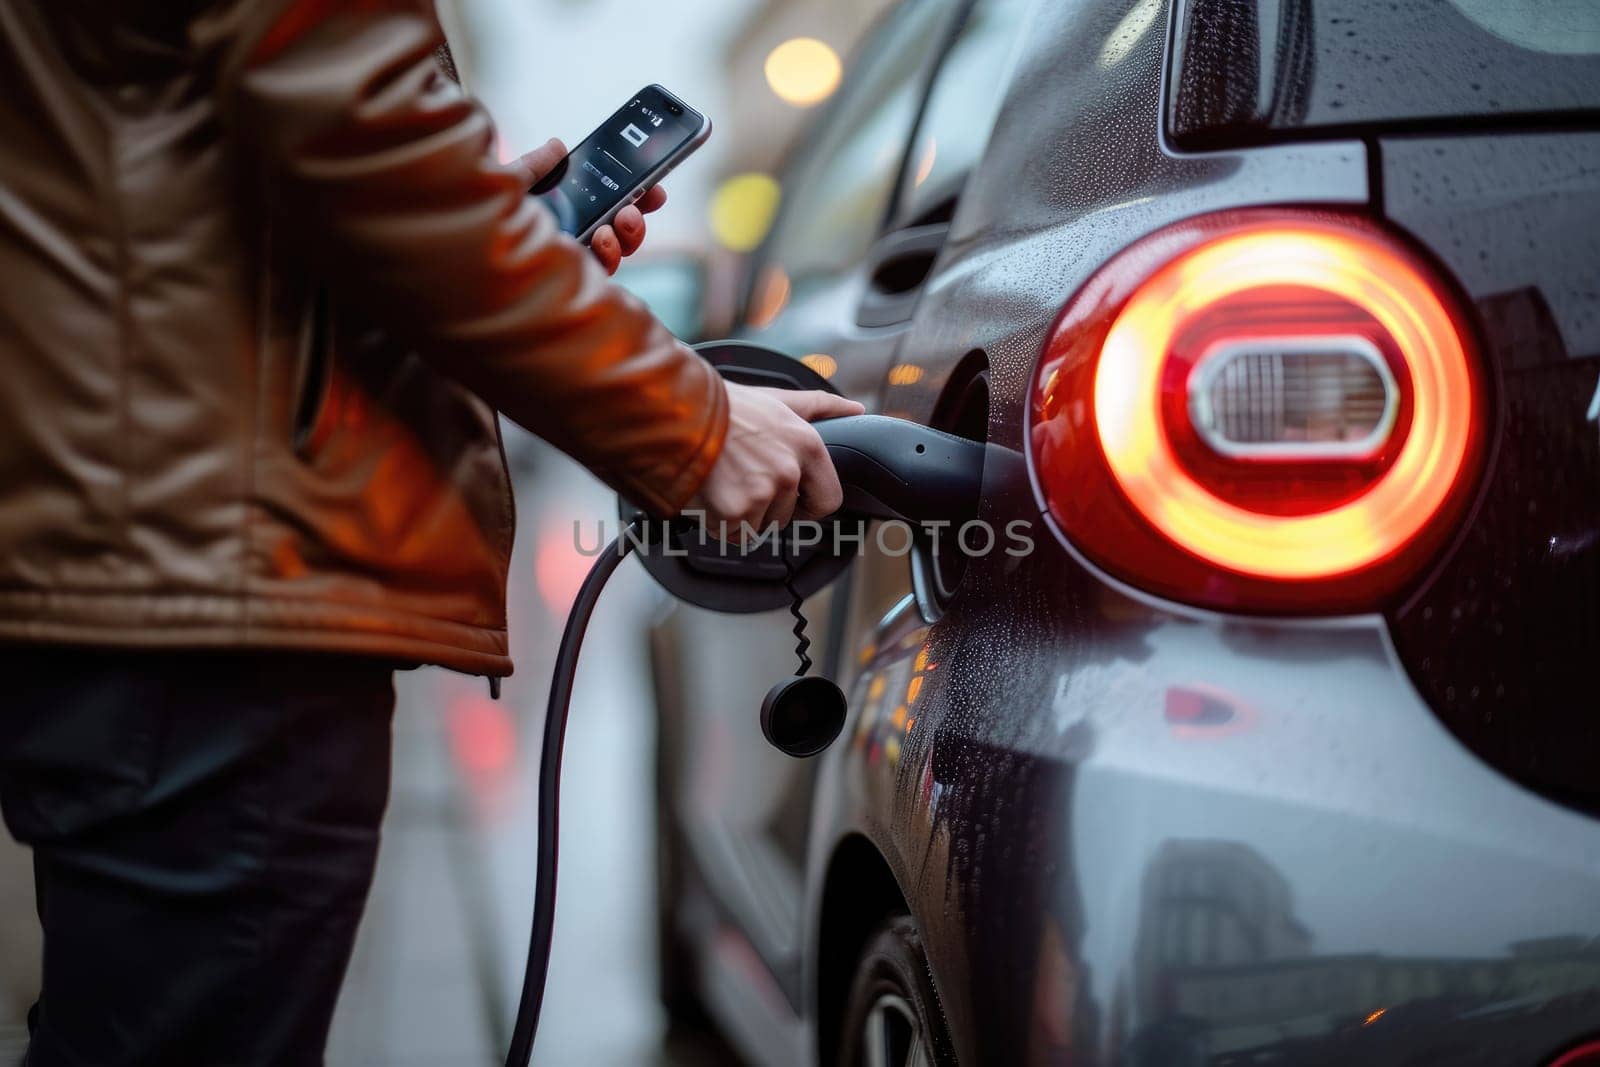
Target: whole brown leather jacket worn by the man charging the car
{"points": [[262, 292]]}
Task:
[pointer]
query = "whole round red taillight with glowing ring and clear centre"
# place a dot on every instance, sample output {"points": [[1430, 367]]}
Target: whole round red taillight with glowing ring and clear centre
{"points": [[1265, 412]]}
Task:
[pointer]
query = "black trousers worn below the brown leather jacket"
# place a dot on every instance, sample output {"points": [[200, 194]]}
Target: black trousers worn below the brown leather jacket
{"points": [[204, 833]]}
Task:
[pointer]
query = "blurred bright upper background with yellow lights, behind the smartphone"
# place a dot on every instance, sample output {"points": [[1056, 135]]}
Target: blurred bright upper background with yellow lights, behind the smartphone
{"points": [[758, 68]]}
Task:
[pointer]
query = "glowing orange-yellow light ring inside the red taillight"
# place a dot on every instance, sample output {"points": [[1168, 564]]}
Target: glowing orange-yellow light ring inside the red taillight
{"points": [[1356, 266]]}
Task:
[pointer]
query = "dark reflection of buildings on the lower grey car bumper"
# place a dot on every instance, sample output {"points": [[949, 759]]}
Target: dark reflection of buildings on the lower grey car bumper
{"points": [[1225, 969]]}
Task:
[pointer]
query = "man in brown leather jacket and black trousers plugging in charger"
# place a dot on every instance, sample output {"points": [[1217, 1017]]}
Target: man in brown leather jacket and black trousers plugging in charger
{"points": [[262, 290]]}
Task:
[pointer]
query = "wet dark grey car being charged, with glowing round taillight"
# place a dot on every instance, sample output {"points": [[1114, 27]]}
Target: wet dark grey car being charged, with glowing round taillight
{"points": [[1282, 746]]}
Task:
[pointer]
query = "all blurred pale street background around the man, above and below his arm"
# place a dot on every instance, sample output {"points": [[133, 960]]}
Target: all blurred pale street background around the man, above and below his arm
{"points": [[441, 954]]}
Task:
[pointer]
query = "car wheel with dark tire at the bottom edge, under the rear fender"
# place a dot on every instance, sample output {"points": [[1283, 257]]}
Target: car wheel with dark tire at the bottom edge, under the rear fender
{"points": [[894, 1017]]}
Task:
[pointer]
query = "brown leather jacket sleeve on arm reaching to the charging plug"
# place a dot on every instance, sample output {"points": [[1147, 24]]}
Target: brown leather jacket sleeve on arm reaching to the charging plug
{"points": [[383, 170]]}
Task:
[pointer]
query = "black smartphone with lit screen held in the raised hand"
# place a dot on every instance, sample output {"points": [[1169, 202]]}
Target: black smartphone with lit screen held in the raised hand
{"points": [[622, 161]]}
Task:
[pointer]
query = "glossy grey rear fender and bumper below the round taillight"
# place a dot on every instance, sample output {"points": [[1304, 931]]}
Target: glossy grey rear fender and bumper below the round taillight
{"points": [[1033, 783]]}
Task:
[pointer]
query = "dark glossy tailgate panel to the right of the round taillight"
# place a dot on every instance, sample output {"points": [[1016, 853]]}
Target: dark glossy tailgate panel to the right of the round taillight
{"points": [[1503, 637]]}
